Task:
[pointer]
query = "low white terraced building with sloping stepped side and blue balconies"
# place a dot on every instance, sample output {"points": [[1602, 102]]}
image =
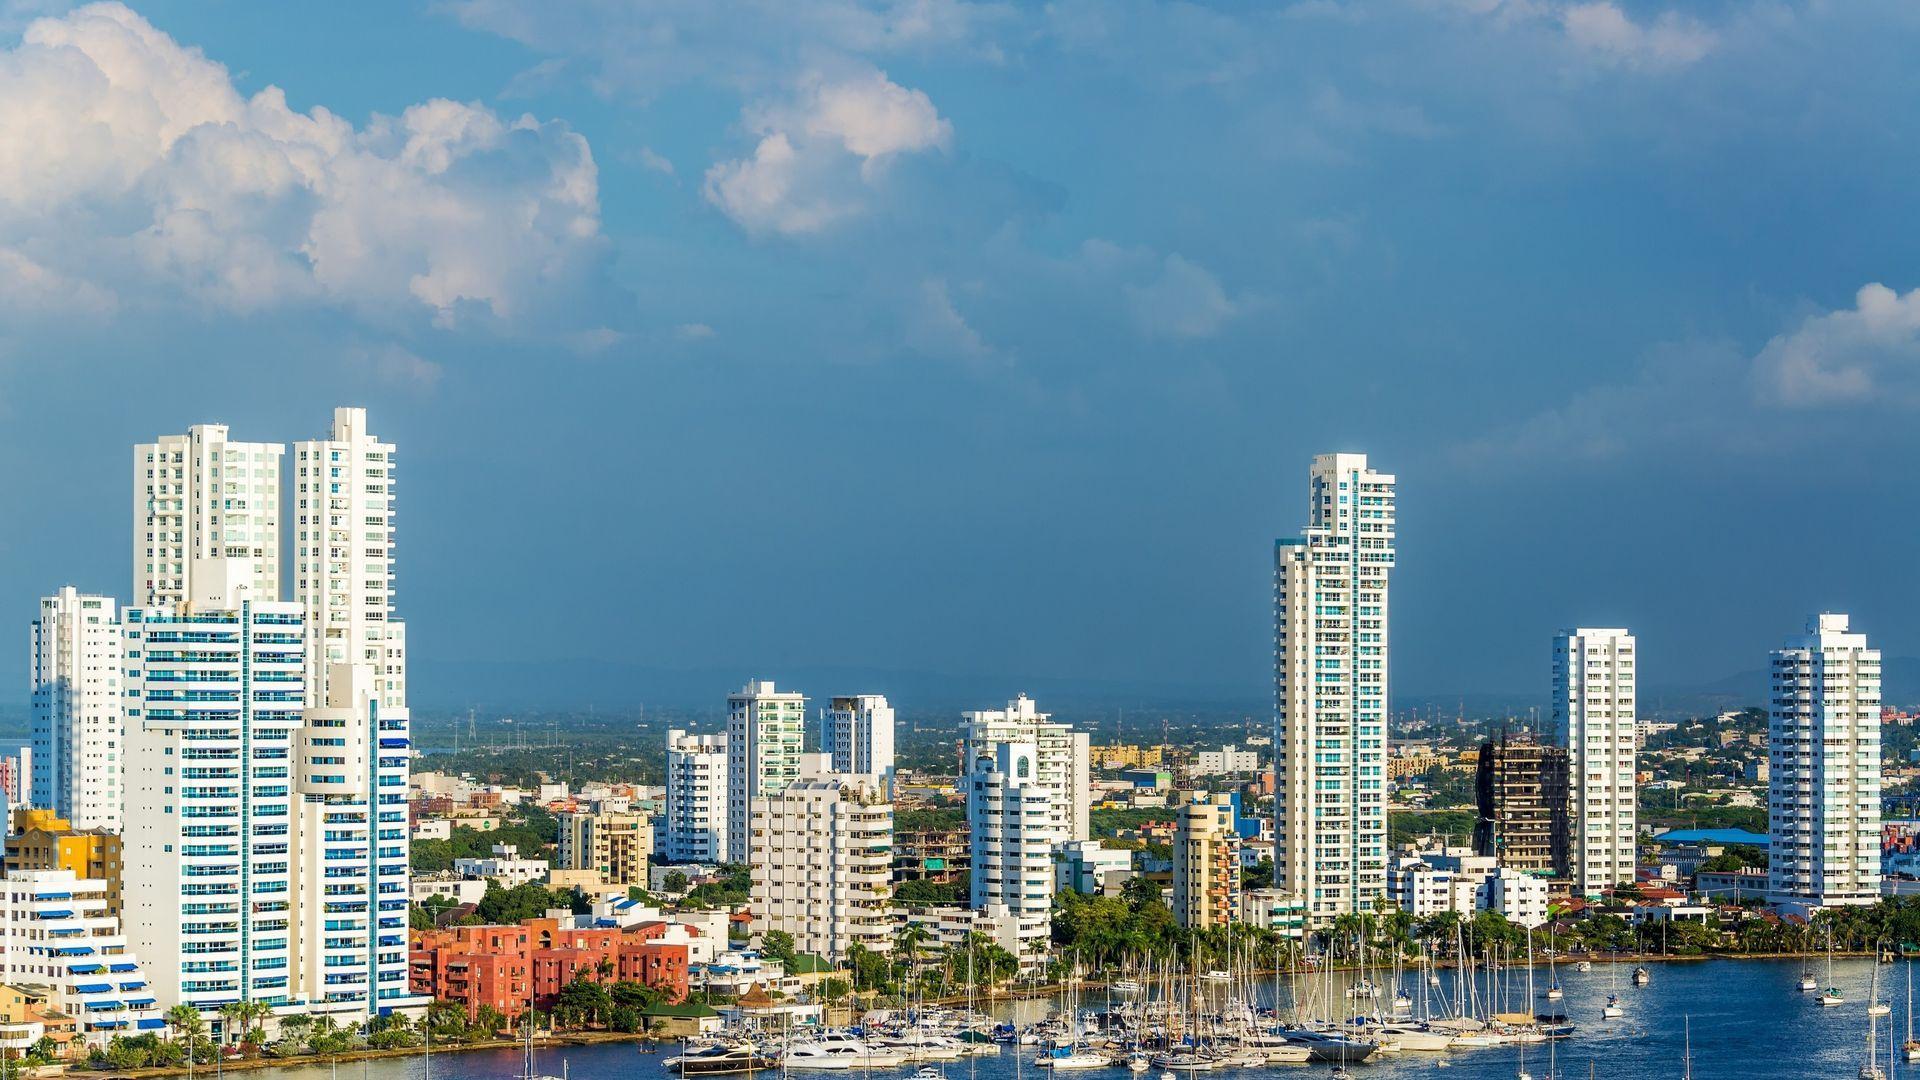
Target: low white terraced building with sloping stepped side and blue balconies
{"points": [[62, 937]]}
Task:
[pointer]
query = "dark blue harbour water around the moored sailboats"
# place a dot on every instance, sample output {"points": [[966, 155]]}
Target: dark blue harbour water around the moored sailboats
{"points": [[1748, 1025]]}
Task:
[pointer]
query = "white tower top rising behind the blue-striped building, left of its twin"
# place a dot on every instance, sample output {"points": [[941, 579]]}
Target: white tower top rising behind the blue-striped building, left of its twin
{"points": [[201, 497]]}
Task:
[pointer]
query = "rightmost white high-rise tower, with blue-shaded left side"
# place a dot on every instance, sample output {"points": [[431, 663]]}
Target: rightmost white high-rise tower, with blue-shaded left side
{"points": [[1823, 789]]}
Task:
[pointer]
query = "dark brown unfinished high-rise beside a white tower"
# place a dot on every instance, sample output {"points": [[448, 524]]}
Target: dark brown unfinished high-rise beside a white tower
{"points": [[1524, 798]]}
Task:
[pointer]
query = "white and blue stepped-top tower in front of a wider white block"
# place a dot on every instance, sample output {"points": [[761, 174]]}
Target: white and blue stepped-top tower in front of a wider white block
{"points": [[1015, 827]]}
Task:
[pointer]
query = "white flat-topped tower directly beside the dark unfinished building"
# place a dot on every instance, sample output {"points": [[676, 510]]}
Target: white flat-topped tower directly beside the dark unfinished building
{"points": [[1595, 677]]}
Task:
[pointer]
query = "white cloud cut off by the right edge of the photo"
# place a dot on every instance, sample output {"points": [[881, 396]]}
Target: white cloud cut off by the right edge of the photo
{"points": [[1848, 358]]}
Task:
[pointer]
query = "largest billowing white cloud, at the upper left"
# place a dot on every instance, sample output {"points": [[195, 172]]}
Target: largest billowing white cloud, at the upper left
{"points": [[133, 166]]}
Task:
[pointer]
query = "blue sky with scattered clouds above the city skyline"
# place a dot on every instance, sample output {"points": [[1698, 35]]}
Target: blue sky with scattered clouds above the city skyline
{"points": [[994, 339]]}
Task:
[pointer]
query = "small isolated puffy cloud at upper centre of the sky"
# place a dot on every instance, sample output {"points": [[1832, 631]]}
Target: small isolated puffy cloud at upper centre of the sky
{"points": [[823, 153]]}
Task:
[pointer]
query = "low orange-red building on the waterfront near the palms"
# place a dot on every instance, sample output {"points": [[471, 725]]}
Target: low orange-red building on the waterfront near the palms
{"points": [[502, 966]]}
